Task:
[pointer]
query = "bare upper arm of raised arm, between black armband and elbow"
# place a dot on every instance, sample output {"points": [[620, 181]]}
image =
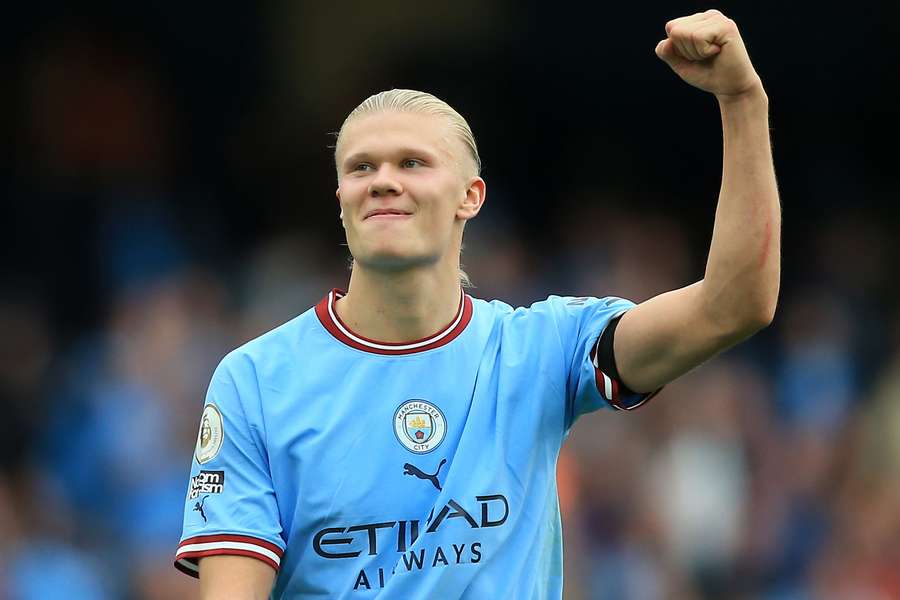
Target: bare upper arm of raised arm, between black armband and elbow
{"points": [[670, 334]]}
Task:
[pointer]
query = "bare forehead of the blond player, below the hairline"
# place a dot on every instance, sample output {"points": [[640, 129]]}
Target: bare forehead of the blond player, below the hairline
{"points": [[383, 132]]}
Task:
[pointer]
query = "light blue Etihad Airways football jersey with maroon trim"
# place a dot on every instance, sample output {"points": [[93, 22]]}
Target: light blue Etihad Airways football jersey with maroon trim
{"points": [[360, 469]]}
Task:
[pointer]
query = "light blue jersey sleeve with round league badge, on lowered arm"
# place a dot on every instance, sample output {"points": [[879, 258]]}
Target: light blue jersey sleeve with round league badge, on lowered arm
{"points": [[231, 505]]}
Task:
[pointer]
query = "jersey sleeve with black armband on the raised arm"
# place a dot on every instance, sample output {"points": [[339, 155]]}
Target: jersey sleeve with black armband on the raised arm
{"points": [[592, 380]]}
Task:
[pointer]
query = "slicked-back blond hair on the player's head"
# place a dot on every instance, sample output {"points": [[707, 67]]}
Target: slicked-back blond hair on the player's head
{"points": [[416, 102]]}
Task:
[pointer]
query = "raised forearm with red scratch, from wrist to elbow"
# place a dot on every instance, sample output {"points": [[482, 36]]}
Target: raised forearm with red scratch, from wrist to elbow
{"points": [[740, 286]]}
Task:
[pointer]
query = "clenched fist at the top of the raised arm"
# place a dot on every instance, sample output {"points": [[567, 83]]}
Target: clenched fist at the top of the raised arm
{"points": [[706, 50]]}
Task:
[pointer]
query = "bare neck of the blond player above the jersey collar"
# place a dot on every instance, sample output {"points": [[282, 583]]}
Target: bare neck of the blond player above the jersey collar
{"points": [[400, 306]]}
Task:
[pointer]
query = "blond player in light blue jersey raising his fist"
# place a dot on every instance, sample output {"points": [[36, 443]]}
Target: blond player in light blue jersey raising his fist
{"points": [[339, 459]]}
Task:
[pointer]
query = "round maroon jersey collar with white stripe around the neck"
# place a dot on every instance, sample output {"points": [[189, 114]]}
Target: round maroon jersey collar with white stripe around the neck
{"points": [[332, 322]]}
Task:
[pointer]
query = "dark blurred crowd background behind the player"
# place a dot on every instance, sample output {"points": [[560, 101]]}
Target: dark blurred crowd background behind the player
{"points": [[168, 193]]}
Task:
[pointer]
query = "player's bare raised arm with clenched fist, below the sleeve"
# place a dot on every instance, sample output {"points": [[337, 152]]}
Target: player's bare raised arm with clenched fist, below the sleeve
{"points": [[670, 334]]}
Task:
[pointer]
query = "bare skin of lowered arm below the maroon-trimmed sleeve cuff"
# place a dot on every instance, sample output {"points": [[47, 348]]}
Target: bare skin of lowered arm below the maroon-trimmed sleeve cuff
{"points": [[235, 578]]}
